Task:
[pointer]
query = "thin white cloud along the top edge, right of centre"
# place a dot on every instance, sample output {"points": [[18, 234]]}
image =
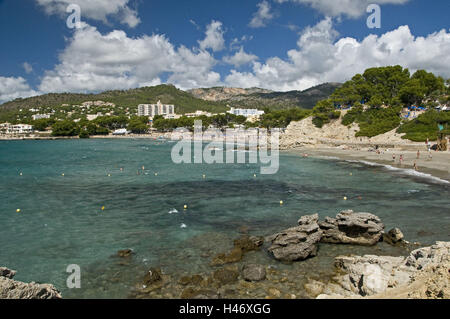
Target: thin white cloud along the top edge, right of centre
{"points": [[349, 8]]}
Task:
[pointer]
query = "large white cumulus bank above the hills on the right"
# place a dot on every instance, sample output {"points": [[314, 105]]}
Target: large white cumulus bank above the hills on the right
{"points": [[321, 57]]}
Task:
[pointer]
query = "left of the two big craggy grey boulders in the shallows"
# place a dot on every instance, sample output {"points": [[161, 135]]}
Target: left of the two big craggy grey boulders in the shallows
{"points": [[297, 243]]}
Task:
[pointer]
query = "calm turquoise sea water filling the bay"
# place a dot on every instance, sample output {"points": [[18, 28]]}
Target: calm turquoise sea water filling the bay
{"points": [[61, 221]]}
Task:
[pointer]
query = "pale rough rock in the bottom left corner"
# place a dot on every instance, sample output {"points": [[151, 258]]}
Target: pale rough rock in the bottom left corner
{"points": [[12, 289]]}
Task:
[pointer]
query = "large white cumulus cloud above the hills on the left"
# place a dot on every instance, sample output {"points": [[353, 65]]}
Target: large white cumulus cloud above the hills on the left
{"points": [[94, 62]]}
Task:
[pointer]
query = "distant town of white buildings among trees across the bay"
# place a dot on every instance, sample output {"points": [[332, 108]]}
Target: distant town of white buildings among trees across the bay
{"points": [[96, 113]]}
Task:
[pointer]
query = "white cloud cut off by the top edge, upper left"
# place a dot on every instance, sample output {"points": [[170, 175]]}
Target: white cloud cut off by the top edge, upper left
{"points": [[98, 10]]}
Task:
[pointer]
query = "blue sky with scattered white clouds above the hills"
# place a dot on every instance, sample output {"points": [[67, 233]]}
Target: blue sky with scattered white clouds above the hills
{"points": [[276, 44]]}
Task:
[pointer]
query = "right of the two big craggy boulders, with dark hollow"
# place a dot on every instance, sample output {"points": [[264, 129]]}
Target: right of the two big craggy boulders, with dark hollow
{"points": [[352, 228]]}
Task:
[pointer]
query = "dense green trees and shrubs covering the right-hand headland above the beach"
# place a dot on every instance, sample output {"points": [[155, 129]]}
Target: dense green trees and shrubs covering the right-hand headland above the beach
{"points": [[374, 100]]}
